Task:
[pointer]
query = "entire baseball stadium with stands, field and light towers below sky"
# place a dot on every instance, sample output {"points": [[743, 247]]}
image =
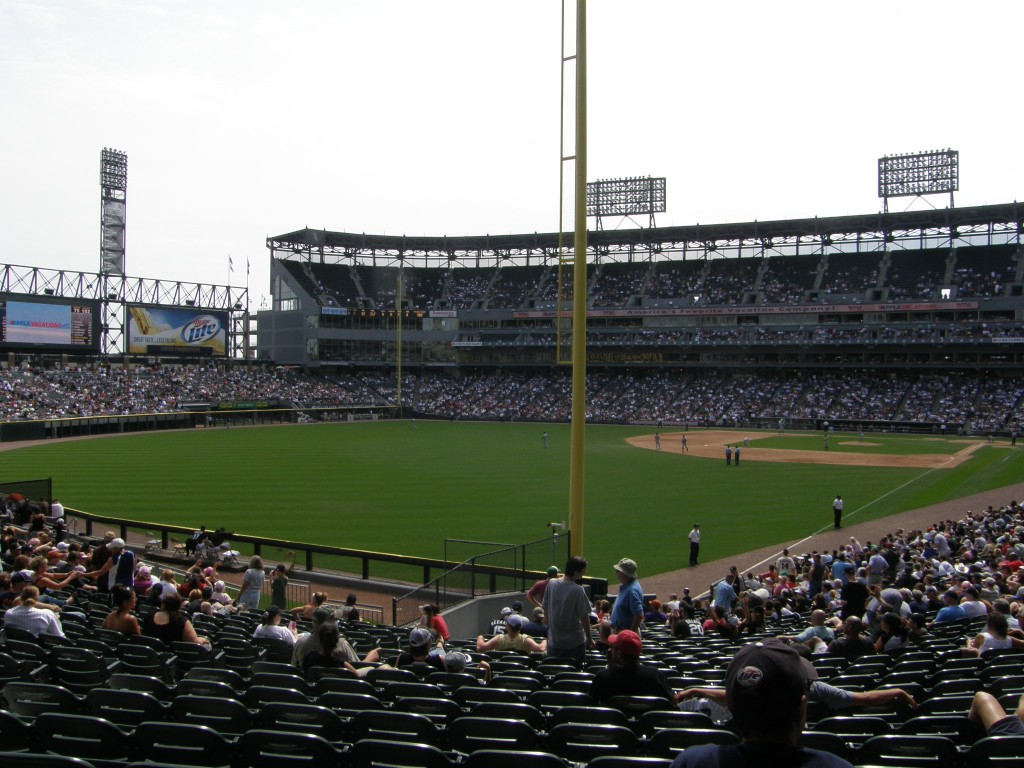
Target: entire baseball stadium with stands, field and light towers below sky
{"points": [[420, 435]]}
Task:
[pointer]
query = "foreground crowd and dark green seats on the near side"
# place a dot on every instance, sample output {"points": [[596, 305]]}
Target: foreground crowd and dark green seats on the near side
{"points": [[916, 632]]}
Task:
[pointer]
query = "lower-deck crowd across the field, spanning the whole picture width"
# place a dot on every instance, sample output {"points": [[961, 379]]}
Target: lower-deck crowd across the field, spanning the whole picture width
{"points": [[973, 405]]}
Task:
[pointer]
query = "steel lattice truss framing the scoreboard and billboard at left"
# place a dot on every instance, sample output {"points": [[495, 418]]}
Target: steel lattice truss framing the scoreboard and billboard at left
{"points": [[116, 291]]}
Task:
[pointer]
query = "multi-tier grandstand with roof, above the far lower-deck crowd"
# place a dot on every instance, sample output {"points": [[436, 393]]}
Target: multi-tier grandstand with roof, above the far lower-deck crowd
{"points": [[935, 289]]}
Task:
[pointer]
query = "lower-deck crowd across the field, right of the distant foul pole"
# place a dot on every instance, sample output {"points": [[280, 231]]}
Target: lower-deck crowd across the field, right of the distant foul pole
{"points": [[717, 399]]}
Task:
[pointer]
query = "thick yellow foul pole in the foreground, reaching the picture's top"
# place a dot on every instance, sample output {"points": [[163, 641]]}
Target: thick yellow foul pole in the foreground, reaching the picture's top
{"points": [[579, 414]]}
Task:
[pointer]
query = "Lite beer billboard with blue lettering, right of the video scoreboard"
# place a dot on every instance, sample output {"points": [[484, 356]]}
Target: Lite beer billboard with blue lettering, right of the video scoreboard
{"points": [[157, 330]]}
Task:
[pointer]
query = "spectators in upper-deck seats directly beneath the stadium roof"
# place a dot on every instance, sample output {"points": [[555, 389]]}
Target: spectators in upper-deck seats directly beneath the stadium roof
{"points": [[912, 276]]}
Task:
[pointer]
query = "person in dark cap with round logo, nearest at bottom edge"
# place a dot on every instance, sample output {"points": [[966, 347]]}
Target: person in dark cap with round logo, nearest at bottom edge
{"points": [[766, 688]]}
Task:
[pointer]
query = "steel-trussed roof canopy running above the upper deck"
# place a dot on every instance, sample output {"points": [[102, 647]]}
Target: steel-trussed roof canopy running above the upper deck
{"points": [[993, 224]]}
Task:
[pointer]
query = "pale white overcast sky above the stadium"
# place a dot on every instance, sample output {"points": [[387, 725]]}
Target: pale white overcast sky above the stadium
{"points": [[248, 119]]}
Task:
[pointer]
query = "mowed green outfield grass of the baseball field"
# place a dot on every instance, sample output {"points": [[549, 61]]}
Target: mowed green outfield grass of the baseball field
{"points": [[388, 487]]}
